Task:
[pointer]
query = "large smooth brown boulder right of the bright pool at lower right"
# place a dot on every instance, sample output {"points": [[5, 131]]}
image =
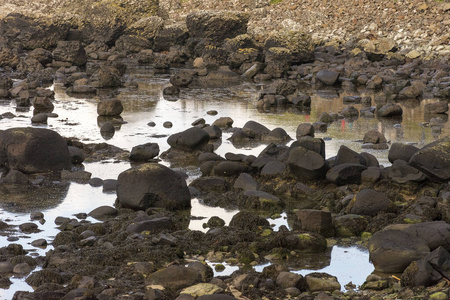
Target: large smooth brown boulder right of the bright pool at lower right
{"points": [[391, 251]]}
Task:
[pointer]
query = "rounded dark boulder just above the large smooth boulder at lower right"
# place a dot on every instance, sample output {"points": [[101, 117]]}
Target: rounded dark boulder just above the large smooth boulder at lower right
{"points": [[369, 202]]}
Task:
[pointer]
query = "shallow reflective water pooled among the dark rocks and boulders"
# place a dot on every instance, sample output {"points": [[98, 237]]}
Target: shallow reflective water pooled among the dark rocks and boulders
{"points": [[77, 117]]}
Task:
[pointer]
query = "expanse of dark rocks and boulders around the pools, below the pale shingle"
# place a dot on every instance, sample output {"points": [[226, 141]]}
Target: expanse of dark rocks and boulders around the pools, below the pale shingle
{"points": [[143, 249]]}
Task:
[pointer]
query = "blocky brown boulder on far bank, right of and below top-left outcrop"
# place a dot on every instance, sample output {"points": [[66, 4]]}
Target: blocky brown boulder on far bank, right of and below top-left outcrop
{"points": [[70, 53]]}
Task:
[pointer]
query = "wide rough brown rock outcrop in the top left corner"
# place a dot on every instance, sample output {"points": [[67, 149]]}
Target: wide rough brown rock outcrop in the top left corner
{"points": [[20, 31]]}
